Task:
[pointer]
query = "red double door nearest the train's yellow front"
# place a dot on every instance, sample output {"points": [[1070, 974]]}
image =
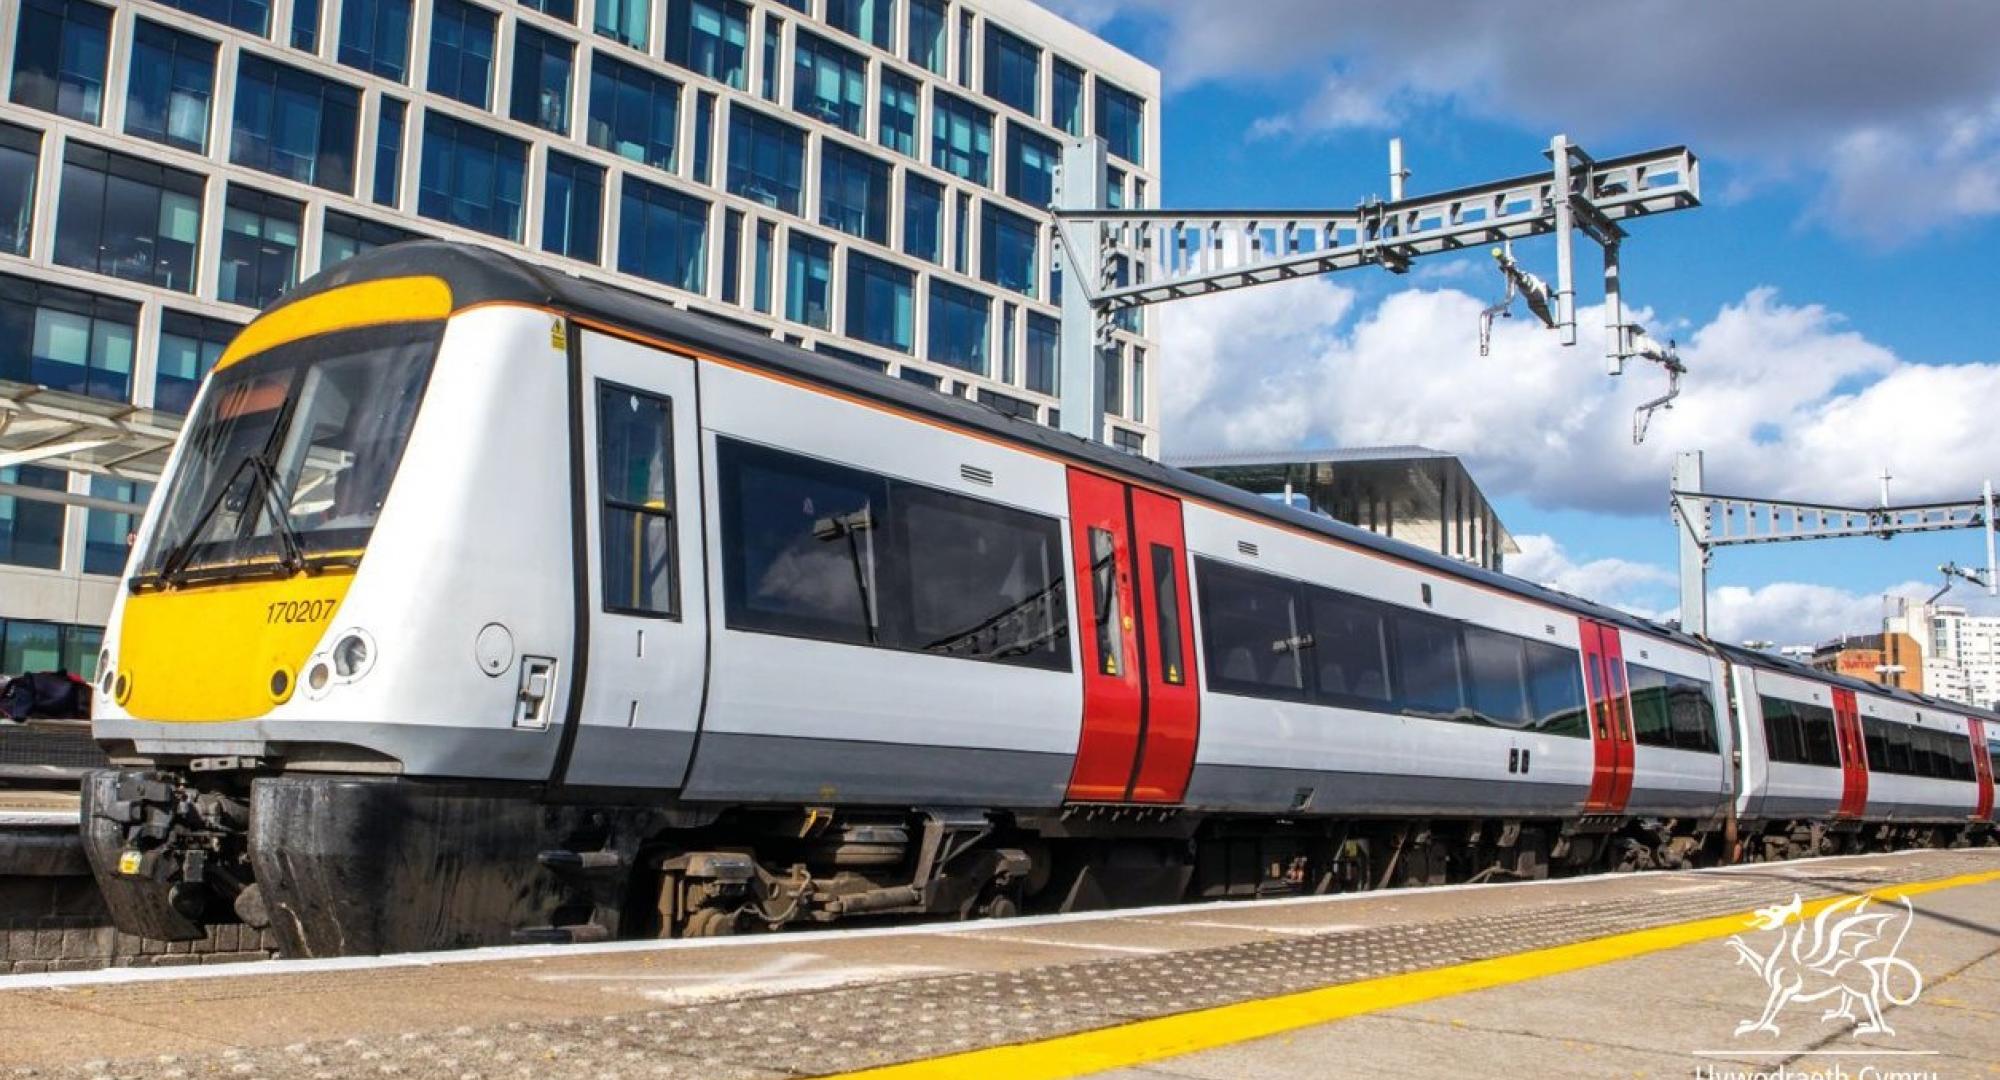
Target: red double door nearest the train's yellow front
{"points": [[1137, 643]]}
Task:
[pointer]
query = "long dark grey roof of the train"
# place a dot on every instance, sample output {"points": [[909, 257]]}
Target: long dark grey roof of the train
{"points": [[489, 277]]}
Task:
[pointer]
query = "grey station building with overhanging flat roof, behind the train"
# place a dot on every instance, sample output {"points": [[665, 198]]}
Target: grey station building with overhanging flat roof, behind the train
{"points": [[1407, 493]]}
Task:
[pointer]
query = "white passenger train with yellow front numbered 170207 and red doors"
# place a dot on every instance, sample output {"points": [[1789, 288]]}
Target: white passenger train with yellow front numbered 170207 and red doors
{"points": [[483, 603]]}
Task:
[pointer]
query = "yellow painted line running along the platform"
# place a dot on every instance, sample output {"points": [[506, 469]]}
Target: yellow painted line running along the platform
{"points": [[1189, 1033]]}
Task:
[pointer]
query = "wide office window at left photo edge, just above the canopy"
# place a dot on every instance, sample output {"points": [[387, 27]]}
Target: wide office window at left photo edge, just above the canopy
{"points": [[77, 341]]}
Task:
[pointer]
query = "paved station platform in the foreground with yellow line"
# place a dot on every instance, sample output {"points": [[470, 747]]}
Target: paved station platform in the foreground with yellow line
{"points": [[1637, 975]]}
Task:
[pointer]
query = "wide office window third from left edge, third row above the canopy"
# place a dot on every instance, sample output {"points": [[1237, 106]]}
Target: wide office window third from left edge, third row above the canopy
{"points": [[295, 125]]}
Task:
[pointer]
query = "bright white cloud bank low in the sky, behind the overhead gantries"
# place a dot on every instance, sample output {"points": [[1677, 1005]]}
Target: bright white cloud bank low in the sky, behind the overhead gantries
{"points": [[1783, 399]]}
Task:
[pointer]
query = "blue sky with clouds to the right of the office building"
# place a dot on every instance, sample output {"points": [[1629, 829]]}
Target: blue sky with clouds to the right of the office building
{"points": [[1835, 295]]}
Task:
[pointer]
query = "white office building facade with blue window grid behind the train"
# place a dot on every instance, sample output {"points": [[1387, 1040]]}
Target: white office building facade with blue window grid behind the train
{"points": [[861, 177]]}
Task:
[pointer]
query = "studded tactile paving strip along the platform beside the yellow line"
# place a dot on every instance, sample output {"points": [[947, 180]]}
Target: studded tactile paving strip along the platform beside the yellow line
{"points": [[859, 1027]]}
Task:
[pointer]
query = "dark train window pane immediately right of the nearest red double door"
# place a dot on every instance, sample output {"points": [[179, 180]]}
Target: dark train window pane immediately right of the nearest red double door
{"points": [[1253, 633]]}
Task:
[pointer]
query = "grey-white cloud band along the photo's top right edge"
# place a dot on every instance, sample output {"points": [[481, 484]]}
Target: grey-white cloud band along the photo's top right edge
{"points": [[1897, 107]]}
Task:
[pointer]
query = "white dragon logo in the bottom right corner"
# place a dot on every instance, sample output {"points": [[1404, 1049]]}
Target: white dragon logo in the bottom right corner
{"points": [[1843, 955]]}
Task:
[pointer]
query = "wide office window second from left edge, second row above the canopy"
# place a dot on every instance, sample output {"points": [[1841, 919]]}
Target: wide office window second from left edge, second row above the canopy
{"points": [[129, 219]]}
